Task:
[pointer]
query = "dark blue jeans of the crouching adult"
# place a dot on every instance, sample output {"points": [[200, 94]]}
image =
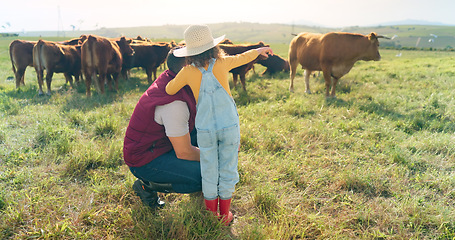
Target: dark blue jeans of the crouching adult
{"points": [[184, 175]]}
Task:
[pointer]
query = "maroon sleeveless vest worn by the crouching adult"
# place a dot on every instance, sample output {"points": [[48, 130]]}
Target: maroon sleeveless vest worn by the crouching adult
{"points": [[145, 139]]}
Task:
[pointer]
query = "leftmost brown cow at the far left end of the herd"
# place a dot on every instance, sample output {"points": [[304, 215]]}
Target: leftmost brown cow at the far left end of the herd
{"points": [[21, 55]]}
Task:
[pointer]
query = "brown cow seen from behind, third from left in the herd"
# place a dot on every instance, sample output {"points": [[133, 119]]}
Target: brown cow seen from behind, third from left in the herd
{"points": [[103, 57]]}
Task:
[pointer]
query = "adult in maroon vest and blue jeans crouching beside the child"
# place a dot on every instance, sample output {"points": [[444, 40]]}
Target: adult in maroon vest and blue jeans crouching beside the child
{"points": [[160, 144]]}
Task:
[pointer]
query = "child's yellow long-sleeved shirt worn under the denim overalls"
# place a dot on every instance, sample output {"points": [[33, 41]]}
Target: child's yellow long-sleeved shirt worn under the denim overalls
{"points": [[191, 75]]}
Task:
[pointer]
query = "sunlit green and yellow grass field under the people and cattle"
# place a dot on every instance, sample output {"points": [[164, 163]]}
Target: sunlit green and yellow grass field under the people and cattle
{"points": [[376, 163]]}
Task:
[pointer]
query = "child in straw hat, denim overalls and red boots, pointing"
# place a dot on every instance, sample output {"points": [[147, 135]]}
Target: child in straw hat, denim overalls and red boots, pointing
{"points": [[217, 120]]}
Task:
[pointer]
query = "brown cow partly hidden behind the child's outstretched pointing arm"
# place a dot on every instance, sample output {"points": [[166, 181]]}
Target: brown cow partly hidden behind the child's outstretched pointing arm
{"points": [[241, 71]]}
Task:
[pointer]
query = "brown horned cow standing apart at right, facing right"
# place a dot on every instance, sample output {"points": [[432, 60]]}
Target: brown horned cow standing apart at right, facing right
{"points": [[333, 53]]}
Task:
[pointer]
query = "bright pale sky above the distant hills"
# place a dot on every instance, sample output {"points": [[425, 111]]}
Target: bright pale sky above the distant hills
{"points": [[64, 15]]}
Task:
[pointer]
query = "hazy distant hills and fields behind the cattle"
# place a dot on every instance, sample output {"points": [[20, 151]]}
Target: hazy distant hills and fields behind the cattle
{"points": [[436, 36]]}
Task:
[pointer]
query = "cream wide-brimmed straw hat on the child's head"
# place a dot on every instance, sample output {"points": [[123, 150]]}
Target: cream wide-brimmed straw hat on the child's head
{"points": [[198, 39]]}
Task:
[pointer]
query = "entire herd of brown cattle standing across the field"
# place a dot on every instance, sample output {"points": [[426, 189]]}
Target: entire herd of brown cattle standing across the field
{"points": [[106, 59]]}
